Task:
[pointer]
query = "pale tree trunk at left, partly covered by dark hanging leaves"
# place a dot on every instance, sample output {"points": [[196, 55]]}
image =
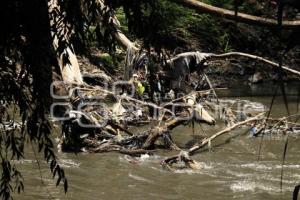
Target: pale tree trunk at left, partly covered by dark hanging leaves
{"points": [[69, 69]]}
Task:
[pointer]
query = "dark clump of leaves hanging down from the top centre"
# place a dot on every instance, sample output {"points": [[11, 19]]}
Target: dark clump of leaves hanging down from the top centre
{"points": [[150, 21]]}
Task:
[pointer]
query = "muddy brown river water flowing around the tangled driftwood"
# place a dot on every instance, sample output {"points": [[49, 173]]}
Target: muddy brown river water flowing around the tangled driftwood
{"points": [[231, 169]]}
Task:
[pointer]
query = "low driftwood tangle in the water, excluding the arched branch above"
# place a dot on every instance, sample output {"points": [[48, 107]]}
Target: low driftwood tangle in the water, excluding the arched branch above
{"points": [[100, 120]]}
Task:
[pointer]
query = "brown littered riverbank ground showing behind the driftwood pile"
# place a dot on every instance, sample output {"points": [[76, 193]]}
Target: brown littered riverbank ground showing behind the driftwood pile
{"points": [[222, 73]]}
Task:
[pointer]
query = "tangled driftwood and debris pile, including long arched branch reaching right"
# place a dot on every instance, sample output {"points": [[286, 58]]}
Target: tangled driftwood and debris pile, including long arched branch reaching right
{"points": [[97, 116]]}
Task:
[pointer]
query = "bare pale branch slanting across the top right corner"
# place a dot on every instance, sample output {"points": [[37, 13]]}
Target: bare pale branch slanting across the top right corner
{"points": [[240, 17]]}
